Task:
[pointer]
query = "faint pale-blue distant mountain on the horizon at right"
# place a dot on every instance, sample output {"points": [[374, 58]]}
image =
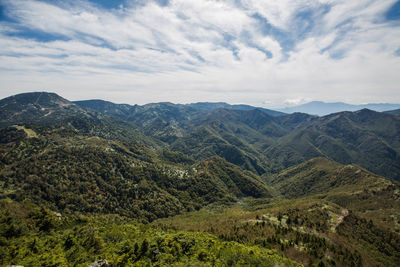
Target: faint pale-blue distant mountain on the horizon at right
{"points": [[322, 108]]}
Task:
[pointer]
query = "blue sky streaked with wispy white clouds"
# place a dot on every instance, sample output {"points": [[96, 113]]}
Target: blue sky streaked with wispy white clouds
{"points": [[269, 53]]}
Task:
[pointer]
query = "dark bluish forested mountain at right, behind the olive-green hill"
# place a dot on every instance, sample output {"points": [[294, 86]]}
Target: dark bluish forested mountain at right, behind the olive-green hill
{"points": [[368, 138]]}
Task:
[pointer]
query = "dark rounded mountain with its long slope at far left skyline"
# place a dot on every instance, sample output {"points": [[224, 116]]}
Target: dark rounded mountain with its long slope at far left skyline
{"points": [[48, 110]]}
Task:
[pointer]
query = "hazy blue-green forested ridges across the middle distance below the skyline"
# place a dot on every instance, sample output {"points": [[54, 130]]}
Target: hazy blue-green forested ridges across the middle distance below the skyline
{"points": [[257, 141]]}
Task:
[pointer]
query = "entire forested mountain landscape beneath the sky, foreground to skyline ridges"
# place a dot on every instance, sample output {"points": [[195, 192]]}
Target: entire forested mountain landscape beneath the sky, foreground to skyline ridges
{"points": [[204, 184]]}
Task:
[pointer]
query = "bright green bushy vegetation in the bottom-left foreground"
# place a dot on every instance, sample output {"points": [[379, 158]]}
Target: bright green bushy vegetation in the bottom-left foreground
{"points": [[34, 236]]}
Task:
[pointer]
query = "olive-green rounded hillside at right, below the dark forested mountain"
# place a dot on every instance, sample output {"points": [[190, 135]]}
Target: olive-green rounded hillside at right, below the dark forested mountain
{"points": [[350, 186]]}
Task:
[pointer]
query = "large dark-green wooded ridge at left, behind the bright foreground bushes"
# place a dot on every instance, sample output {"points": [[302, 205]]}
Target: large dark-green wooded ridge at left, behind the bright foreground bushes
{"points": [[72, 172]]}
